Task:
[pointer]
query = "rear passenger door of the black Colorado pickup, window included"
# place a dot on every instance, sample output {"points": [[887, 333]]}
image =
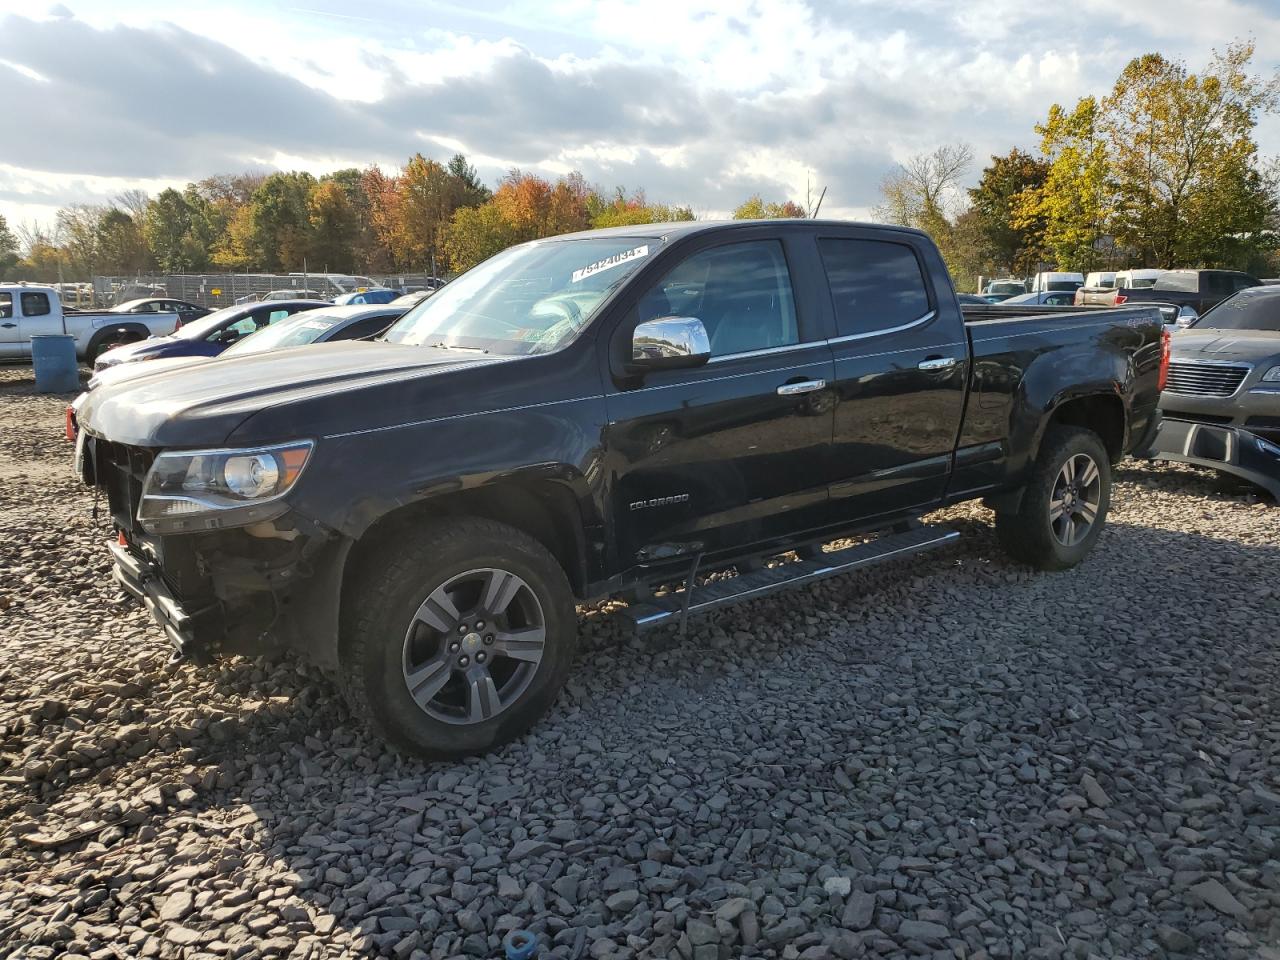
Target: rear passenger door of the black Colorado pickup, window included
{"points": [[902, 367]]}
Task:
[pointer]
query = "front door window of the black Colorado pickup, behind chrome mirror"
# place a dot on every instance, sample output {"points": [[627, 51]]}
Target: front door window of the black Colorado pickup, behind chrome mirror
{"points": [[742, 292]]}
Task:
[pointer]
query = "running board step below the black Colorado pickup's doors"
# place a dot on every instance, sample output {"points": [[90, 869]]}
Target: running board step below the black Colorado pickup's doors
{"points": [[670, 609]]}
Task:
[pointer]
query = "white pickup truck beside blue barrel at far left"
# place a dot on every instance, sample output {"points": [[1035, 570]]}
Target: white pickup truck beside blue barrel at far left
{"points": [[30, 310]]}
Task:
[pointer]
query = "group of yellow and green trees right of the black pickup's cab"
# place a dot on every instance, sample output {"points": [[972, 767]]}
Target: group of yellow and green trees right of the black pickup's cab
{"points": [[1163, 172]]}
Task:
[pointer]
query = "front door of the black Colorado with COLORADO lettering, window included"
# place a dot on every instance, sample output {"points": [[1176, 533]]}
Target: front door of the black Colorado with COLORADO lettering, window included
{"points": [[732, 452]]}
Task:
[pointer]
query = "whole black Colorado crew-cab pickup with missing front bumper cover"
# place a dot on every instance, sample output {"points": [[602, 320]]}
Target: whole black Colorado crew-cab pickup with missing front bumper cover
{"points": [[601, 415]]}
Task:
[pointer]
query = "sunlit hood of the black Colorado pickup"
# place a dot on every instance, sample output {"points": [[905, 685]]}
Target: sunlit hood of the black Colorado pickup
{"points": [[204, 404]]}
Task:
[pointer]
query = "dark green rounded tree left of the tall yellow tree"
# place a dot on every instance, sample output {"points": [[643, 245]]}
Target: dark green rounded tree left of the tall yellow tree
{"points": [[1012, 245]]}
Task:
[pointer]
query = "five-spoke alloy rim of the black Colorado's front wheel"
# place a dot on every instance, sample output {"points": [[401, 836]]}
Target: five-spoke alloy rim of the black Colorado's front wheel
{"points": [[474, 647]]}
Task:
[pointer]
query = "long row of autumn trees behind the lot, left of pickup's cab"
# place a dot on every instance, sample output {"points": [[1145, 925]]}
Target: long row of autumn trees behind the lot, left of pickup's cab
{"points": [[426, 217]]}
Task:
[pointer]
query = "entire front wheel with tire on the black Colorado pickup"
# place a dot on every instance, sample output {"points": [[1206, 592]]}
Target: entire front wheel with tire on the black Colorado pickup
{"points": [[460, 641]]}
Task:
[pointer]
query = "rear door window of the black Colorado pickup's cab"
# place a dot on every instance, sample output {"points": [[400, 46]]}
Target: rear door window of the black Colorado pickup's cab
{"points": [[875, 285]]}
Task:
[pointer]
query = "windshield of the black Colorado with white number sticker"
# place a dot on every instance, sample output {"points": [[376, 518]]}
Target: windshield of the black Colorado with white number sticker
{"points": [[533, 299]]}
